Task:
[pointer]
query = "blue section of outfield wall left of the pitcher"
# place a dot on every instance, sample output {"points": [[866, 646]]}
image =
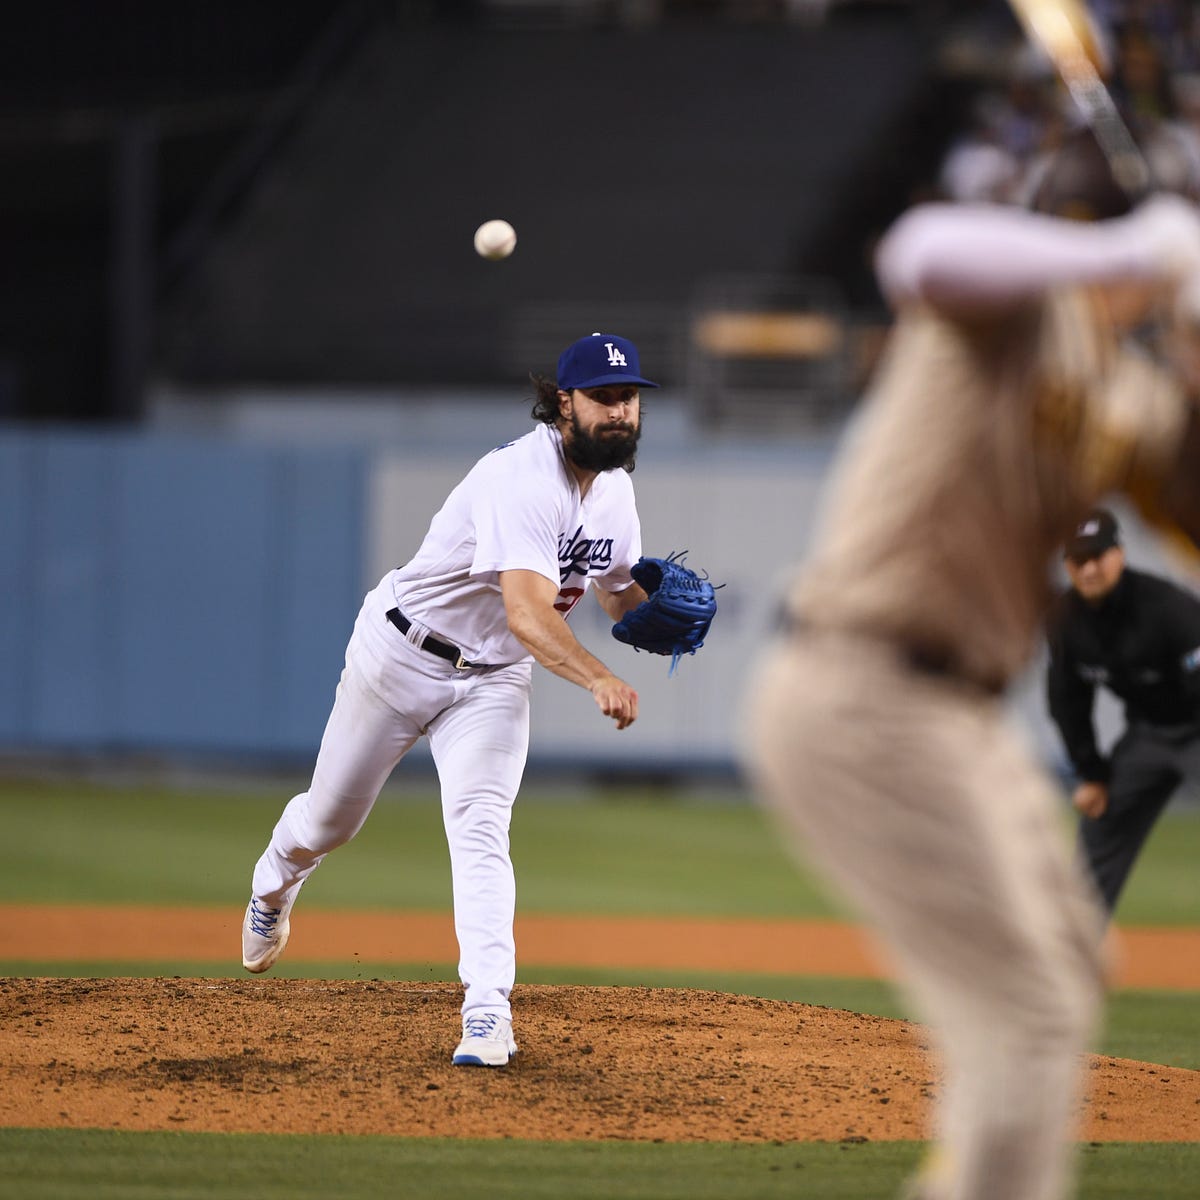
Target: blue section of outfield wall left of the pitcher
{"points": [[167, 596]]}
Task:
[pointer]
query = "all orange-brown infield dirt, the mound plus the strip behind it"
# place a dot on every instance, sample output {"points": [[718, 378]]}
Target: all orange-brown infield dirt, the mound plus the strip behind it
{"points": [[370, 1057]]}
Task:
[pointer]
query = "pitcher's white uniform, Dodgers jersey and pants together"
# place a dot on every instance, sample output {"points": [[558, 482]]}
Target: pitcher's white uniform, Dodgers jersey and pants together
{"points": [[518, 509]]}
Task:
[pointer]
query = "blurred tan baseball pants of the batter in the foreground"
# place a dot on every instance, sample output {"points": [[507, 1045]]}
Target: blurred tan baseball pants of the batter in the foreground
{"points": [[915, 797]]}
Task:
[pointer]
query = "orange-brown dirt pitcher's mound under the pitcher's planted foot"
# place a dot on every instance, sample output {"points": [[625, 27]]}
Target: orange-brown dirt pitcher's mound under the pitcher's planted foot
{"points": [[645, 1064]]}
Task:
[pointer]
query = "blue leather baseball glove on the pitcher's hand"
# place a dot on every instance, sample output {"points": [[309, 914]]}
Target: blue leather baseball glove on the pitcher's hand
{"points": [[675, 617]]}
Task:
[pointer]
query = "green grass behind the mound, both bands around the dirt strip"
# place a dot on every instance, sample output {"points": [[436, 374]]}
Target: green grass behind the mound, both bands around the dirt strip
{"points": [[620, 851]]}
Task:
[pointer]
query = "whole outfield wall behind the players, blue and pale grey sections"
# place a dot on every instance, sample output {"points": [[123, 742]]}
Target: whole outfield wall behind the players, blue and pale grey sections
{"points": [[193, 596]]}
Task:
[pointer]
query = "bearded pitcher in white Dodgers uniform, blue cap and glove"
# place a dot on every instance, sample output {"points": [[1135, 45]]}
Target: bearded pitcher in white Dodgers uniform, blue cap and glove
{"points": [[445, 649]]}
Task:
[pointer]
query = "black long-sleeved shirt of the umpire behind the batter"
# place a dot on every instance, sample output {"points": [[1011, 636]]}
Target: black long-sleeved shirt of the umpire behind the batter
{"points": [[1143, 644]]}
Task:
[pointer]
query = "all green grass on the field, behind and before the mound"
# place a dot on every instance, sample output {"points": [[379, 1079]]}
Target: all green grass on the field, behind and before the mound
{"points": [[620, 853]]}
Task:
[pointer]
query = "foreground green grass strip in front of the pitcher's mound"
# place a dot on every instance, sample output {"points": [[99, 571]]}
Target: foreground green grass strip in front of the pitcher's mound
{"points": [[100, 1166]]}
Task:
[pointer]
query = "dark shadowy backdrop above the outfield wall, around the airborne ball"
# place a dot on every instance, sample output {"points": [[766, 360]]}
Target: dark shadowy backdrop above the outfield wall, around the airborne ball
{"points": [[220, 193]]}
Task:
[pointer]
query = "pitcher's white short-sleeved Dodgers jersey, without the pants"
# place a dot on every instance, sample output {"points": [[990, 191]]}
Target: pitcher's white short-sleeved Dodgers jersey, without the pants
{"points": [[518, 509]]}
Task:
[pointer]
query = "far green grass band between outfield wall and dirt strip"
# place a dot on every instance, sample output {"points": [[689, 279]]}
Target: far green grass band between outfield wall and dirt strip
{"points": [[623, 851]]}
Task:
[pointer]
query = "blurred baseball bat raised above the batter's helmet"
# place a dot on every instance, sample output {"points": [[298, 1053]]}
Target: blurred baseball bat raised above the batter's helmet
{"points": [[1065, 32]]}
